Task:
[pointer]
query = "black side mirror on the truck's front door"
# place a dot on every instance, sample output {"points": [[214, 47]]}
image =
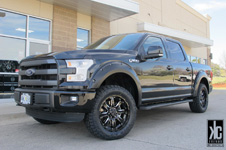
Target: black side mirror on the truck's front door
{"points": [[154, 52]]}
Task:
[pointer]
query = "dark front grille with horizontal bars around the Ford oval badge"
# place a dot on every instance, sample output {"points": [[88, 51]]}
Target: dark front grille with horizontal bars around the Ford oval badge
{"points": [[45, 74]]}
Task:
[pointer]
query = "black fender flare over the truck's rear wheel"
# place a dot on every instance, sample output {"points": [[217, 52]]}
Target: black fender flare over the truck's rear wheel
{"points": [[197, 81]]}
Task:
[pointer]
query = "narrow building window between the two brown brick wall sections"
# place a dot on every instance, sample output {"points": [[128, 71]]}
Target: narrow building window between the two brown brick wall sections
{"points": [[82, 38]]}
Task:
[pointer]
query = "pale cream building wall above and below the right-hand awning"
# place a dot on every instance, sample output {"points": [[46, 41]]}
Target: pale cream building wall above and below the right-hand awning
{"points": [[173, 14]]}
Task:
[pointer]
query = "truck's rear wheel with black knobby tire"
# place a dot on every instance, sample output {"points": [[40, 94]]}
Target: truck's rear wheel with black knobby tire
{"points": [[200, 103]]}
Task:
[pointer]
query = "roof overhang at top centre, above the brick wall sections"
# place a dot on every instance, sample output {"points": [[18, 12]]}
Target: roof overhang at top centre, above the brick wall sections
{"points": [[106, 9]]}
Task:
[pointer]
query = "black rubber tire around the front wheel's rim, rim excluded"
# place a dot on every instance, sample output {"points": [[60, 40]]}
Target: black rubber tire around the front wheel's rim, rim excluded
{"points": [[93, 119]]}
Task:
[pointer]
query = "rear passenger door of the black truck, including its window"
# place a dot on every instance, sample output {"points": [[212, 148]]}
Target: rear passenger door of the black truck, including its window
{"points": [[181, 67]]}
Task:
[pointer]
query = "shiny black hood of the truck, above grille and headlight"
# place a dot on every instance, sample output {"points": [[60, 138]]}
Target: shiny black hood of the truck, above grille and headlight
{"points": [[88, 54]]}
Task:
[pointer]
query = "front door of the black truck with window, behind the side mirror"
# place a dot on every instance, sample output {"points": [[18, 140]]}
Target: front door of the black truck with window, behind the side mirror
{"points": [[156, 75]]}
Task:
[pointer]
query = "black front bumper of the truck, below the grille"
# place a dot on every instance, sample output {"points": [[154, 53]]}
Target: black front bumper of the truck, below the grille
{"points": [[57, 101]]}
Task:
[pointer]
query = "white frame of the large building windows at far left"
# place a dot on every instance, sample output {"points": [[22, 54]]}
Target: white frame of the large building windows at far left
{"points": [[26, 38]]}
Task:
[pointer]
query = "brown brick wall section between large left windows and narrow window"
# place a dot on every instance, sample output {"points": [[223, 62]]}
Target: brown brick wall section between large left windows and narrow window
{"points": [[64, 35]]}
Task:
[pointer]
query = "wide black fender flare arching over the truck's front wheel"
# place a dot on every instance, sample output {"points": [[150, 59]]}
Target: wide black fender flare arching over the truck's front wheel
{"points": [[111, 68]]}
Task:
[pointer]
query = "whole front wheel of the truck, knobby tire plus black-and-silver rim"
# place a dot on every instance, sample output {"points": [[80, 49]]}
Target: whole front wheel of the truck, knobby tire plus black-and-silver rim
{"points": [[113, 114]]}
